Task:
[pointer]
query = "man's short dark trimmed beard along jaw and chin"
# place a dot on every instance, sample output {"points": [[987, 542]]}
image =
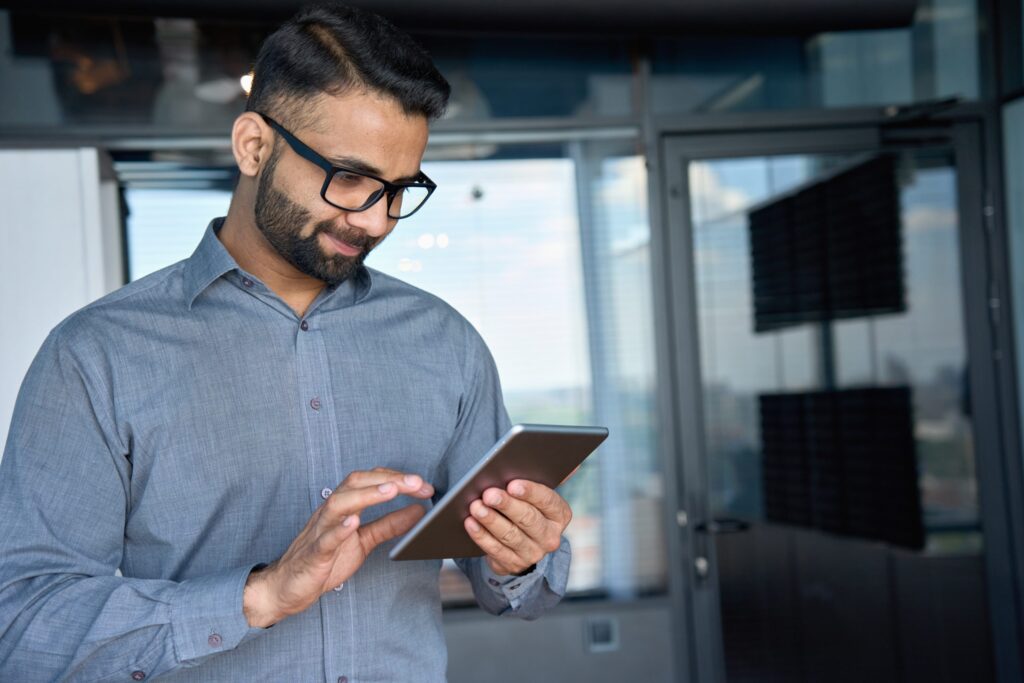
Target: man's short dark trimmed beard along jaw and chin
{"points": [[281, 221]]}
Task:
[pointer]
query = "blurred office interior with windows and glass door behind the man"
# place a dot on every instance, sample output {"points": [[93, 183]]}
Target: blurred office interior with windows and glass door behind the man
{"points": [[777, 248]]}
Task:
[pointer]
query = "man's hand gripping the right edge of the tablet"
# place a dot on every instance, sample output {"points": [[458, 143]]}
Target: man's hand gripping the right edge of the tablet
{"points": [[518, 527]]}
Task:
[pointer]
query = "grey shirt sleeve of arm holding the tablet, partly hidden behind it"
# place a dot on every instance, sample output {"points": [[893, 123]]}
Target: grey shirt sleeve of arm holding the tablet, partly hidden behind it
{"points": [[483, 420]]}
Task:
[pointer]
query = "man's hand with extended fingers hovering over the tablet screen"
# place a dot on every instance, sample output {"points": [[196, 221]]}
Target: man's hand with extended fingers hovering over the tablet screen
{"points": [[333, 546]]}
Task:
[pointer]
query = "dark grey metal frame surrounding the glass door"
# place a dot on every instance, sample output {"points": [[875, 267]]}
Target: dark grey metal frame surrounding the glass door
{"points": [[992, 376]]}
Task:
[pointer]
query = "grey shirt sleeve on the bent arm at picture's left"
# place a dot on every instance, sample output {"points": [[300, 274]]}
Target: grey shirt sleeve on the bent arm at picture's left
{"points": [[65, 484]]}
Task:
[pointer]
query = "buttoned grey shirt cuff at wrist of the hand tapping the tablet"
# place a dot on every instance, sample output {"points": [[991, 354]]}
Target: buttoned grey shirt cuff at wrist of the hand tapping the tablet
{"points": [[207, 616]]}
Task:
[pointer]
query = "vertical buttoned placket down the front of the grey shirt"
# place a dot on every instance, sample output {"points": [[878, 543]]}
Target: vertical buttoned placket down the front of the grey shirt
{"points": [[323, 451]]}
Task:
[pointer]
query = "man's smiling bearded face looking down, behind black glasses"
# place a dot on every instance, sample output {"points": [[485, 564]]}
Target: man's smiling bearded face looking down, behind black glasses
{"points": [[362, 131]]}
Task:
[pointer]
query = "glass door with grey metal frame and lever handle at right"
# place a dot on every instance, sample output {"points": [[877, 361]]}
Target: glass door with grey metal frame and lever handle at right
{"points": [[833, 525]]}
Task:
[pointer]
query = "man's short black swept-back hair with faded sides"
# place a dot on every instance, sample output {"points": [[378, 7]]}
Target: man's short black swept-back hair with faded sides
{"points": [[329, 49]]}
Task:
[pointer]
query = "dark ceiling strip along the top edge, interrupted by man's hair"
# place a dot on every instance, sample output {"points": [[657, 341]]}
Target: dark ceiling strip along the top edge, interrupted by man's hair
{"points": [[606, 17]]}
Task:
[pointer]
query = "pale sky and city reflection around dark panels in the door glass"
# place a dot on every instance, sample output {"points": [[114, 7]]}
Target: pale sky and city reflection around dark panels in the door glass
{"points": [[922, 348]]}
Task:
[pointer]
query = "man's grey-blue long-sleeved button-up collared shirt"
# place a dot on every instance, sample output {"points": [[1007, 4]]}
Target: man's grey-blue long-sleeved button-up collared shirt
{"points": [[185, 429]]}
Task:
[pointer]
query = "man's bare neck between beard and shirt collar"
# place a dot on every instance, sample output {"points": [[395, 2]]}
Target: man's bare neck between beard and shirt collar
{"points": [[253, 253]]}
